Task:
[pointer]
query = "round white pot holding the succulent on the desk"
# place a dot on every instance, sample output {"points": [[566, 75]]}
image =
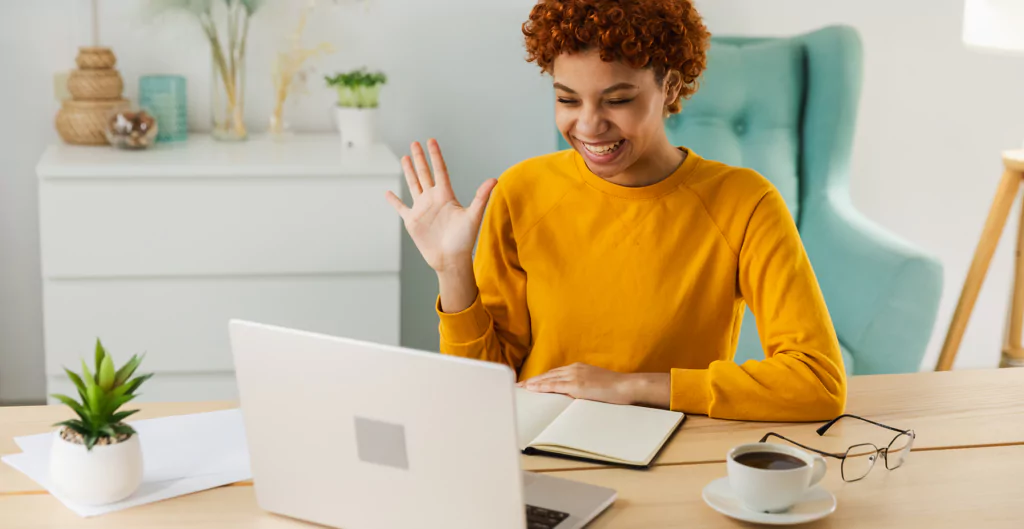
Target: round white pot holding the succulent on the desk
{"points": [[104, 475]]}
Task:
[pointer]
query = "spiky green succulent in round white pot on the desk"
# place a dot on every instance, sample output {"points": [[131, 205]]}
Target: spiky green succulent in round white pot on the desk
{"points": [[97, 459]]}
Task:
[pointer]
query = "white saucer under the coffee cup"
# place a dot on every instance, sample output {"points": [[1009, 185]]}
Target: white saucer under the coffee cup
{"points": [[817, 505]]}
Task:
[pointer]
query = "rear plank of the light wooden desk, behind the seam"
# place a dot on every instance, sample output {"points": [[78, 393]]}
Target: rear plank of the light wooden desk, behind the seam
{"points": [[946, 410]]}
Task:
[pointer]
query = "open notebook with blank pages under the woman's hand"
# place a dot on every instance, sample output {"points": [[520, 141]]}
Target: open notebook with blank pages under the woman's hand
{"points": [[596, 431]]}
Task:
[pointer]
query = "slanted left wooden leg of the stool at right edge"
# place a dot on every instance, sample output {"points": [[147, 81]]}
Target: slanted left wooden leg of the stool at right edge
{"points": [[1005, 197]]}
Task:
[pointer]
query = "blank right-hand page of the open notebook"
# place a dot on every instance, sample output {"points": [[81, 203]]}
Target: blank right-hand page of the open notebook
{"points": [[631, 434]]}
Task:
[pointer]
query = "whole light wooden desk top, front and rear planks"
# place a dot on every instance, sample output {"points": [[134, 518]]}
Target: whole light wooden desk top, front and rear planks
{"points": [[965, 471]]}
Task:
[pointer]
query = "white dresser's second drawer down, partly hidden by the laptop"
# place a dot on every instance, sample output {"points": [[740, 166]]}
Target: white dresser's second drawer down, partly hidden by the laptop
{"points": [[182, 324]]}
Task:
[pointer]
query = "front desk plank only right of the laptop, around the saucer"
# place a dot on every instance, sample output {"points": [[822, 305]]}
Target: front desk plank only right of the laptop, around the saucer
{"points": [[958, 489]]}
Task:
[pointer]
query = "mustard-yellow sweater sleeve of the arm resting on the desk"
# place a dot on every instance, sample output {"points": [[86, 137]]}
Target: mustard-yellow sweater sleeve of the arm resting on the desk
{"points": [[802, 377]]}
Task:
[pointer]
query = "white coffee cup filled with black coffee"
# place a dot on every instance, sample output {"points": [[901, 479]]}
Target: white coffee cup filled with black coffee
{"points": [[767, 491]]}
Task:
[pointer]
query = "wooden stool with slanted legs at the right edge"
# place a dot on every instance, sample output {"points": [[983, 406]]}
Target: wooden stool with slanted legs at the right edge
{"points": [[1013, 352]]}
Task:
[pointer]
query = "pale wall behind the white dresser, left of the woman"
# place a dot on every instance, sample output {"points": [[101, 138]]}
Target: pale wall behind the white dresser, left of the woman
{"points": [[455, 69]]}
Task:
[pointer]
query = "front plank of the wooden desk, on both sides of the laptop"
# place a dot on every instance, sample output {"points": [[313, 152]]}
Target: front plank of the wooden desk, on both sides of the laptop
{"points": [[958, 489]]}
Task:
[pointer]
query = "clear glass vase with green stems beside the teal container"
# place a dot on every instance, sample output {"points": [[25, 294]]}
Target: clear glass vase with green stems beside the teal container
{"points": [[228, 99]]}
